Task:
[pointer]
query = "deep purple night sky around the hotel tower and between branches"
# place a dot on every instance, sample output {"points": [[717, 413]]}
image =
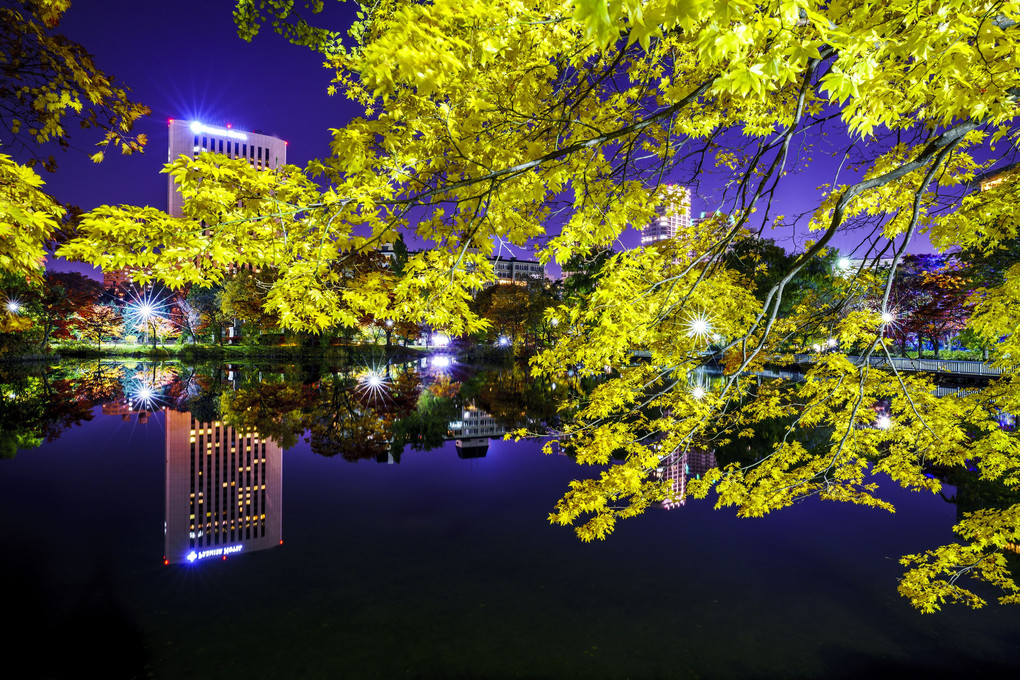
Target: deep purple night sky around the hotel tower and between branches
{"points": [[185, 61]]}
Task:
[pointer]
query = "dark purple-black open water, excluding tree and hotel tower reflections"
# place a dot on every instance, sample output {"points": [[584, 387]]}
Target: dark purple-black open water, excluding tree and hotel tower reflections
{"points": [[446, 567]]}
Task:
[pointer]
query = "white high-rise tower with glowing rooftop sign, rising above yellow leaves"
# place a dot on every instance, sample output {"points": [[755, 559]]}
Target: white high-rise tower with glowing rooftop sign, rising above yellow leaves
{"points": [[190, 138]]}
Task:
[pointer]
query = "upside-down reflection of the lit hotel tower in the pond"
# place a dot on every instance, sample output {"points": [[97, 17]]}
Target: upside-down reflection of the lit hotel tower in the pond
{"points": [[224, 491]]}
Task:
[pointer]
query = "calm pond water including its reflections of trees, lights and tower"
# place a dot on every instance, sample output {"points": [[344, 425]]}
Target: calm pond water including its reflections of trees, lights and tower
{"points": [[363, 559]]}
